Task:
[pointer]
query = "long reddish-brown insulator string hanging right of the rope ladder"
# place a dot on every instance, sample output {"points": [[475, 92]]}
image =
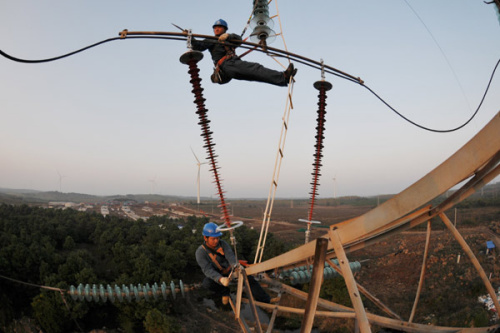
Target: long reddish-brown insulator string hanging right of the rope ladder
{"points": [[322, 86]]}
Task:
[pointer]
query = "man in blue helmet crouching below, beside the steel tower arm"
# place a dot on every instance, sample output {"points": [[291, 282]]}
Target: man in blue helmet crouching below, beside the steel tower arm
{"points": [[217, 260]]}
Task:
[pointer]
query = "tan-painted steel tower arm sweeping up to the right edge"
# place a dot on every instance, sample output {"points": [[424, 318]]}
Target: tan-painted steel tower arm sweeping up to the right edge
{"points": [[478, 160]]}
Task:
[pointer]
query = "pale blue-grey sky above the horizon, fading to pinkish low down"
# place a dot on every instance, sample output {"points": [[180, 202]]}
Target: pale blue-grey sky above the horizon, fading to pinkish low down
{"points": [[113, 118]]}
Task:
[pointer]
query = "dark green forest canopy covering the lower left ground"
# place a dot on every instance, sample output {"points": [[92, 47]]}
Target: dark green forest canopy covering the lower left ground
{"points": [[60, 248]]}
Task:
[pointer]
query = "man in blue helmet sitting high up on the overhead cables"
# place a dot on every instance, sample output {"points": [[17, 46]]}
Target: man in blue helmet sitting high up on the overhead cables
{"points": [[229, 66]]}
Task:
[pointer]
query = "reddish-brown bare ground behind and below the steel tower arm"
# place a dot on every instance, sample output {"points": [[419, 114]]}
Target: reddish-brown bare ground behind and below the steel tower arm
{"points": [[391, 268]]}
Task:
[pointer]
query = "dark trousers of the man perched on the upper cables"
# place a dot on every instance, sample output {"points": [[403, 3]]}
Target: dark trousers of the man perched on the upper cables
{"points": [[238, 69]]}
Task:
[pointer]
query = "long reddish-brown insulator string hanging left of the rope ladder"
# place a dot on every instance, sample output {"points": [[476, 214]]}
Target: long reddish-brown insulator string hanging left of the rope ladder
{"points": [[191, 58]]}
